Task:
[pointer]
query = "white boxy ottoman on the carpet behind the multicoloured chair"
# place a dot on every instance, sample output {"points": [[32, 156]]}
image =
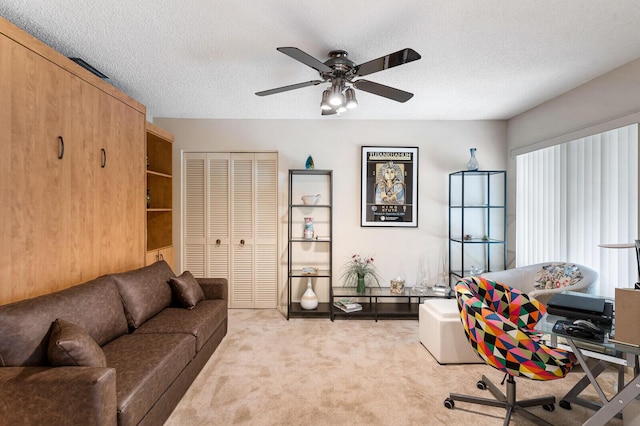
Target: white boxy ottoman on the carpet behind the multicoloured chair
{"points": [[442, 334]]}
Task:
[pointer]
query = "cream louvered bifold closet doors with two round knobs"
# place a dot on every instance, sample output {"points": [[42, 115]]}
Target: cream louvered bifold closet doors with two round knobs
{"points": [[230, 203]]}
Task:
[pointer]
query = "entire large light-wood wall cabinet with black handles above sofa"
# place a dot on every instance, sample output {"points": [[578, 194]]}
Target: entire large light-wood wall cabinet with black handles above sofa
{"points": [[64, 218]]}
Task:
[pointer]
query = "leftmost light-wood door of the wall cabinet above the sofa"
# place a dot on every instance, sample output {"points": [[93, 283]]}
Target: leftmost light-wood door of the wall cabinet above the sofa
{"points": [[34, 179]]}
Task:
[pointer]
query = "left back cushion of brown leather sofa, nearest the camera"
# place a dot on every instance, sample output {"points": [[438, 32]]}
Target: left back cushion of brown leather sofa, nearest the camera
{"points": [[94, 306]]}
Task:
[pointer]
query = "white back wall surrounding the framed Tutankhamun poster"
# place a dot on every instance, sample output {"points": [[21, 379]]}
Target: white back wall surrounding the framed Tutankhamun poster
{"points": [[335, 144]]}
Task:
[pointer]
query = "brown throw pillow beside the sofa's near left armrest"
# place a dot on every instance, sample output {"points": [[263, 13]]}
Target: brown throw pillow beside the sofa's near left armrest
{"points": [[70, 345]]}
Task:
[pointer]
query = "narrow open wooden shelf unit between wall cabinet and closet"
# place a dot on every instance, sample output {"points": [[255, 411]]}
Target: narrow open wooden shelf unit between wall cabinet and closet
{"points": [[159, 195]]}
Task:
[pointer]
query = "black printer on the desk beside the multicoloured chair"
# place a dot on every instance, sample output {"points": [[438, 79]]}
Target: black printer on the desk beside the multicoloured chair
{"points": [[597, 310]]}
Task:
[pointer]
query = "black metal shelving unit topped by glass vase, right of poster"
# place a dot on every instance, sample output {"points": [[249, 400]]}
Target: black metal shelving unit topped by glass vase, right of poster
{"points": [[477, 221]]}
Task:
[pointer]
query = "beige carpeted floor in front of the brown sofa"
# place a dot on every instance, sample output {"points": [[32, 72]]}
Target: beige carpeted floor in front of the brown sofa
{"points": [[270, 371]]}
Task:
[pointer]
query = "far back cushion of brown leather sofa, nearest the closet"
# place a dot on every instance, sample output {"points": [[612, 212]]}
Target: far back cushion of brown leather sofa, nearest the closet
{"points": [[144, 291]]}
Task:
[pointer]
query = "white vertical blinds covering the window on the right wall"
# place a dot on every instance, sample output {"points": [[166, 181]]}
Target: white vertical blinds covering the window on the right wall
{"points": [[570, 198]]}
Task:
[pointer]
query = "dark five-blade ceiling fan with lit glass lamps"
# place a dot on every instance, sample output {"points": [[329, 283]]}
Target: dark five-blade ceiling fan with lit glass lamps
{"points": [[341, 72]]}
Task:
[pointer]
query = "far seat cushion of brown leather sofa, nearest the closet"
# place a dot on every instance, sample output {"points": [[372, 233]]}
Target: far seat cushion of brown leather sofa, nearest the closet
{"points": [[200, 322]]}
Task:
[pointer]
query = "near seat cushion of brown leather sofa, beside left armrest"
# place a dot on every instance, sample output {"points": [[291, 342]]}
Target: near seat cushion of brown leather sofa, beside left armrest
{"points": [[146, 365]]}
